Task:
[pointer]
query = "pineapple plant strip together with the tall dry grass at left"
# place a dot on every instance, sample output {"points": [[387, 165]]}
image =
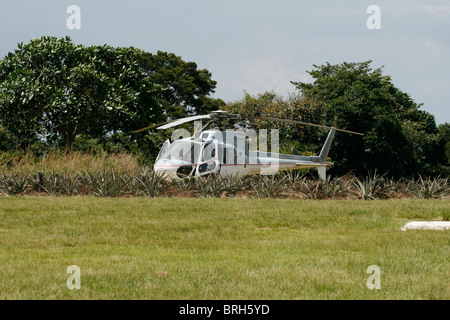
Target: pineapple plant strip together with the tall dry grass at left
{"points": [[120, 175]]}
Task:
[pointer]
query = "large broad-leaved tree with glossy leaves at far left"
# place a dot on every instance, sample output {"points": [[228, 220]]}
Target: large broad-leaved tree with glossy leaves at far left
{"points": [[56, 88]]}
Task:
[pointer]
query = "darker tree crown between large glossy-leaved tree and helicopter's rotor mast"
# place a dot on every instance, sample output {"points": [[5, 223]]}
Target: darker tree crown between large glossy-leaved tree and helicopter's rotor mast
{"points": [[186, 88]]}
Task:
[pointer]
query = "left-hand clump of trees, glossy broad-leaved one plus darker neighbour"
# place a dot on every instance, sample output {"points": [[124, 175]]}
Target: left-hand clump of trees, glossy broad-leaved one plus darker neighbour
{"points": [[52, 89]]}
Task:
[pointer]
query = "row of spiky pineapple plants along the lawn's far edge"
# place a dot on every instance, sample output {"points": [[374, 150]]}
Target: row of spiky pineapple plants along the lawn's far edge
{"points": [[145, 182]]}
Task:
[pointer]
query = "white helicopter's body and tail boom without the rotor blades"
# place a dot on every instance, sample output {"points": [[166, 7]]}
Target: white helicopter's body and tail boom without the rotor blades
{"points": [[229, 156]]}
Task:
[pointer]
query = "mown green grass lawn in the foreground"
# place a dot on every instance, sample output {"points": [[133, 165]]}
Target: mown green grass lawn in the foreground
{"points": [[174, 248]]}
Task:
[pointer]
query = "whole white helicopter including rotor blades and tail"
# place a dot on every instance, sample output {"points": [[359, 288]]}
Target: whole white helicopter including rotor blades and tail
{"points": [[230, 152]]}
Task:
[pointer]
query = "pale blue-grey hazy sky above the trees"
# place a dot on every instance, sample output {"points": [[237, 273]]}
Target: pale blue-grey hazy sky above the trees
{"points": [[261, 45]]}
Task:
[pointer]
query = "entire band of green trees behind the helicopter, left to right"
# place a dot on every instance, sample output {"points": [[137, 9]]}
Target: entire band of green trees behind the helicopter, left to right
{"points": [[53, 90]]}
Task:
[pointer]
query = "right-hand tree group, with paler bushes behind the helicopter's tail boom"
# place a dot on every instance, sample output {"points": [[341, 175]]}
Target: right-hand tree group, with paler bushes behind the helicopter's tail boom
{"points": [[400, 138]]}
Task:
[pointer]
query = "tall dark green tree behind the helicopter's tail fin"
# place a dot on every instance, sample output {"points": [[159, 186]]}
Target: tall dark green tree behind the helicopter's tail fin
{"points": [[399, 137]]}
